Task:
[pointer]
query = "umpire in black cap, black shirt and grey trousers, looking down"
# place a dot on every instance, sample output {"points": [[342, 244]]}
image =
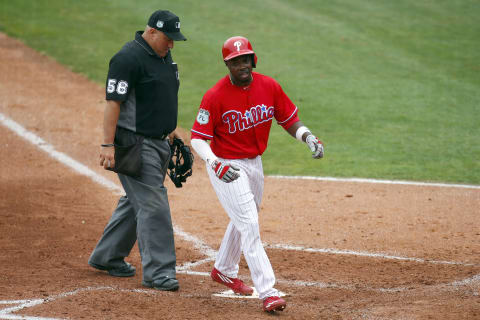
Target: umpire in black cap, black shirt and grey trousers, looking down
{"points": [[142, 107]]}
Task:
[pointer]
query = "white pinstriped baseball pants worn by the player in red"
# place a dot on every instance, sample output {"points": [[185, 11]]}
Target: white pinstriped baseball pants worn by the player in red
{"points": [[241, 200]]}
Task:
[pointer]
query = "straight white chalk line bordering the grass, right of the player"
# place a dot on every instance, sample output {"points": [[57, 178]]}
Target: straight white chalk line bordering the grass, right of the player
{"points": [[363, 180]]}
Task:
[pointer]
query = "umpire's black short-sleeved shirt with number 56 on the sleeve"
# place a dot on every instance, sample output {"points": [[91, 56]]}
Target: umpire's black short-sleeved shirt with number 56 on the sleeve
{"points": [[147, 86]]}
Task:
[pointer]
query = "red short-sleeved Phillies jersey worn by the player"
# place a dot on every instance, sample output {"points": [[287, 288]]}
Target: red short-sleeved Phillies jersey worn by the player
{"points": [[237, 120]]}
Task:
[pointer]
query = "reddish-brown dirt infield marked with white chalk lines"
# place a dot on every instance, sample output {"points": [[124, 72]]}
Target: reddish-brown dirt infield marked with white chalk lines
{"points": [[340, 250]]}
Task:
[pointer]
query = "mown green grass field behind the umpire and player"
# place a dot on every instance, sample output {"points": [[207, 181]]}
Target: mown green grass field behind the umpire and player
{"points": [[391, 87]]}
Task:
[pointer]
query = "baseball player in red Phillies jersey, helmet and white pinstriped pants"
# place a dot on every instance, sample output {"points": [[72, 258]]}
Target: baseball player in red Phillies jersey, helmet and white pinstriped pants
{"points": [[236, 115]]}
